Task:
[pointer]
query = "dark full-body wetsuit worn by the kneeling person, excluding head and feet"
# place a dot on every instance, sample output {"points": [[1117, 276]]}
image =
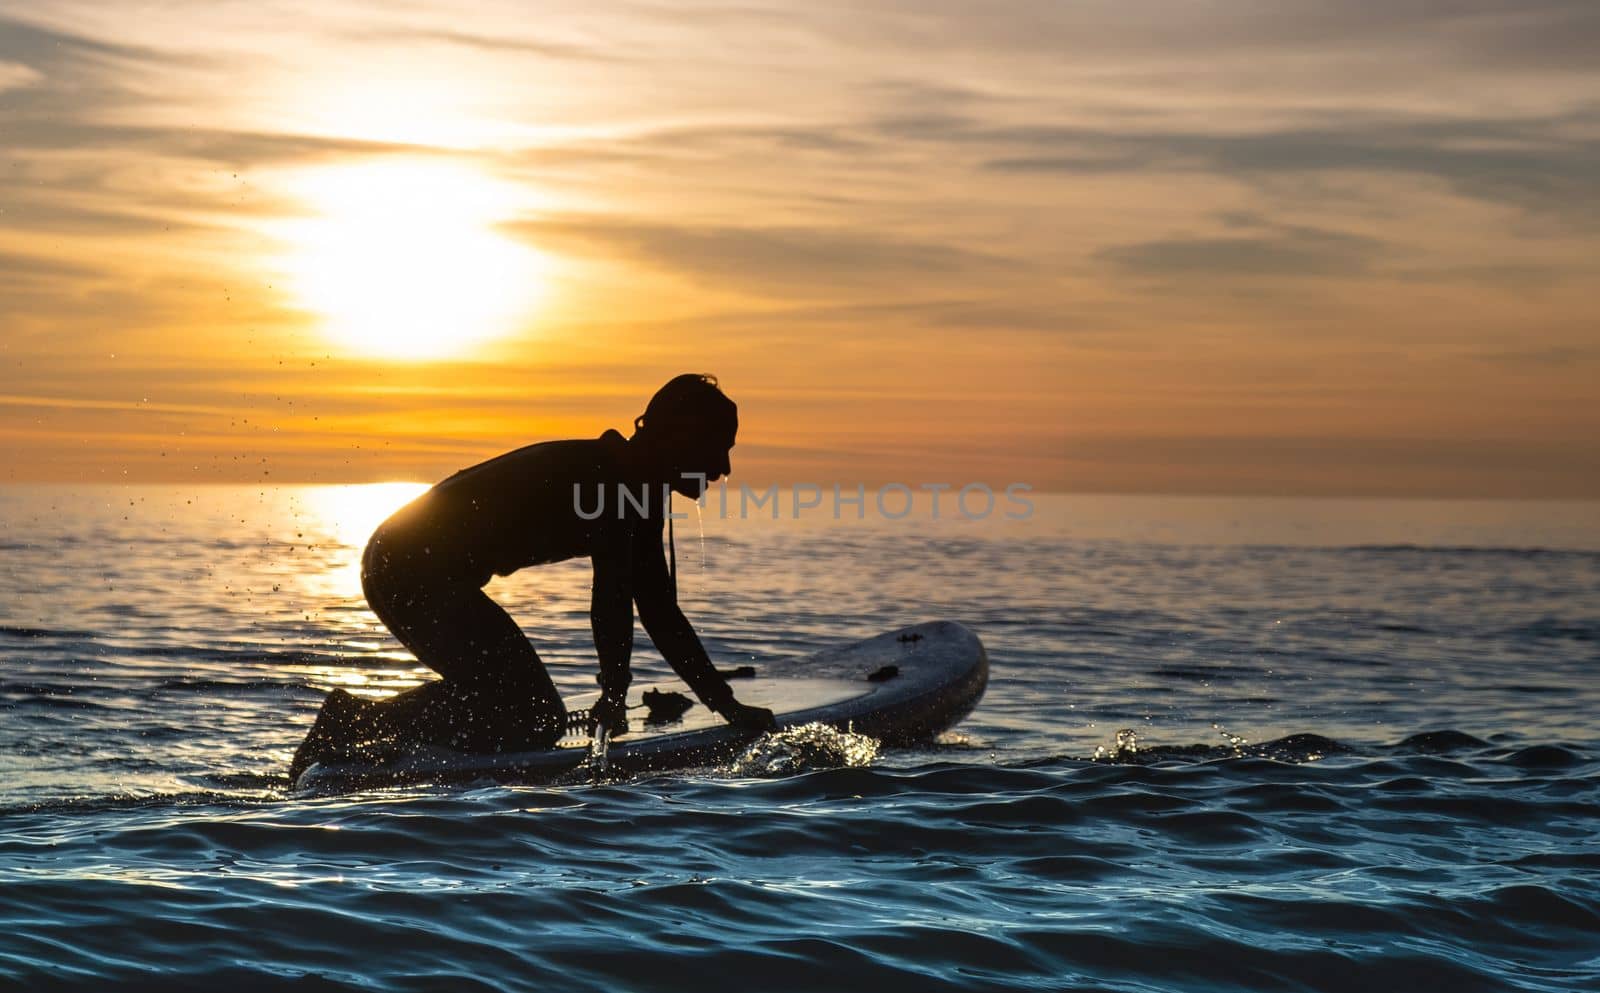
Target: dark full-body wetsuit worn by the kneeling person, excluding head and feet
{"points": [[426, 567]]}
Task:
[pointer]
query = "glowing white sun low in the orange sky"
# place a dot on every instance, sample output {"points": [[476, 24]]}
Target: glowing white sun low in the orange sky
{"points": [[401, 260]]}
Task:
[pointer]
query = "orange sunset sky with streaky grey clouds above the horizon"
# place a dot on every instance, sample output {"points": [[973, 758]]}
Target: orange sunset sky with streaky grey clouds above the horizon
{"points": [[1252, 247]]}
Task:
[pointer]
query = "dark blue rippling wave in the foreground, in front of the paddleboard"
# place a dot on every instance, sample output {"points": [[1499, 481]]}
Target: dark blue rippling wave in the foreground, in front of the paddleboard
{"points": [[1193, 874]]}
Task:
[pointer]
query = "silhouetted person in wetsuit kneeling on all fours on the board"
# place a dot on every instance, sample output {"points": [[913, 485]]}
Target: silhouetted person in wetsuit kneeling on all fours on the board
{"points": [[426, 567]]}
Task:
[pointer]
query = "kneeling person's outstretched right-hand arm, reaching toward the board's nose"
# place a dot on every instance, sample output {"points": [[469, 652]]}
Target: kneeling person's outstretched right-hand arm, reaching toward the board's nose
{"points": [[674, 637]]}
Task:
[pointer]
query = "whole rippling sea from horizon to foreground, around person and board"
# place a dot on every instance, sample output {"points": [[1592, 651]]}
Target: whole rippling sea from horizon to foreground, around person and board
{"points": [[1226, 746]]}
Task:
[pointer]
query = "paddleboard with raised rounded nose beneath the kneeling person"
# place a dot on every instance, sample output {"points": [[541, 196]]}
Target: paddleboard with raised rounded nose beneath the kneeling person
{"points": [[902, 688]]}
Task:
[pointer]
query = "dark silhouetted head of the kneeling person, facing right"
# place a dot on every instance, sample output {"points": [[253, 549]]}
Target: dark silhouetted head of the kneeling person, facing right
{"points": [[689, 428]]}
